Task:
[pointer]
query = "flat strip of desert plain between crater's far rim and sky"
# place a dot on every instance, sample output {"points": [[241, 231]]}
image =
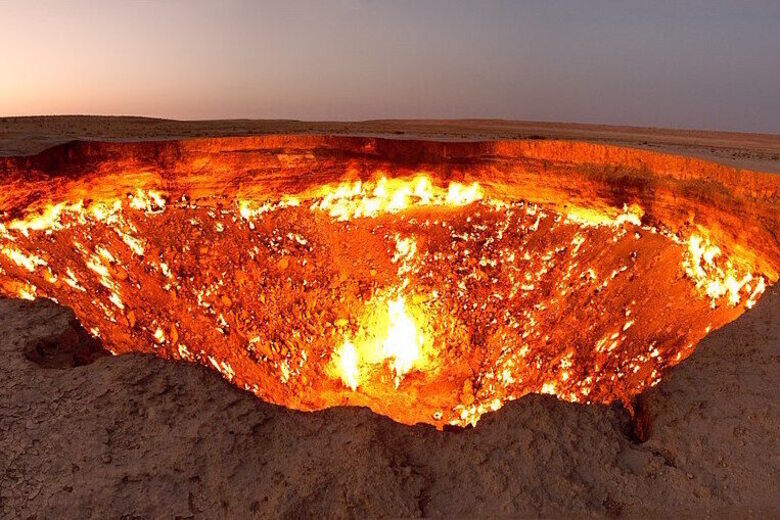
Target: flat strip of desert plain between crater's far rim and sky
{"points": [[759, 152]]}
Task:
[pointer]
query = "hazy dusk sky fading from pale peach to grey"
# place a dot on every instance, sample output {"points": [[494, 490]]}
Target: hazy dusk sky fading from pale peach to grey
{"points": [[681, 64]]}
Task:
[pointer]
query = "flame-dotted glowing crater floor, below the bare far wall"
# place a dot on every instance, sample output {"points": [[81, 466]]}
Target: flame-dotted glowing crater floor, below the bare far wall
{"points": [[425, 299]]}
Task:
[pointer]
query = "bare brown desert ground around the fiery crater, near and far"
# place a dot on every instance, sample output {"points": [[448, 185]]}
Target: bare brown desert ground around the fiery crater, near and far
{"points": [[138, 437]]}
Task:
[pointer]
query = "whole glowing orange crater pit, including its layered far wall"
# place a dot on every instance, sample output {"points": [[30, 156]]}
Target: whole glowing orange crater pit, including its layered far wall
{"points": [[432, 282]]}
